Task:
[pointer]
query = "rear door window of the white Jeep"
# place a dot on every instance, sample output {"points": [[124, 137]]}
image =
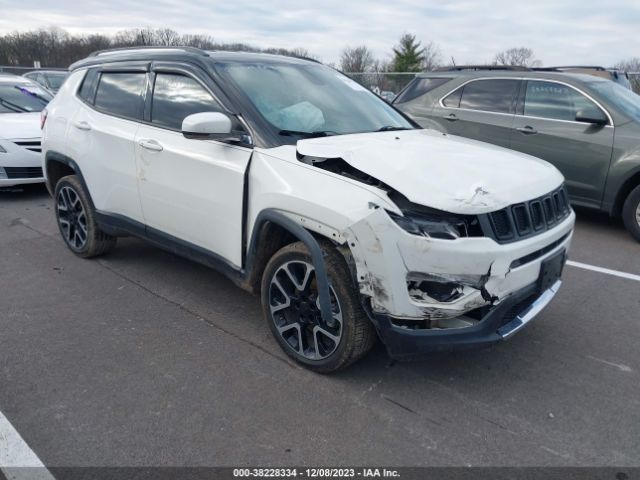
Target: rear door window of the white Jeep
{"points": [[121, 94]]}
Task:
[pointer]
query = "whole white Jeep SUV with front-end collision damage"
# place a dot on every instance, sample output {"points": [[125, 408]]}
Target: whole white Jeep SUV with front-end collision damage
{"points": [[350, 221]]}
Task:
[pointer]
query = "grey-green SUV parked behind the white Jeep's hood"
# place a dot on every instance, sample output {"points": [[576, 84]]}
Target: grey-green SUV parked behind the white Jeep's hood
{"points": [[588, 127]]}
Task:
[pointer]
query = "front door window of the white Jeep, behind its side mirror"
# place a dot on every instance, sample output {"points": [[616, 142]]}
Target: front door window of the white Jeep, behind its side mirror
{"points": [[175, 97]]}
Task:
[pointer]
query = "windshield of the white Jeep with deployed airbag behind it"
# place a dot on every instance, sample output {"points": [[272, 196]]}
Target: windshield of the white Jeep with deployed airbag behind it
{"points": [[312, 100]]}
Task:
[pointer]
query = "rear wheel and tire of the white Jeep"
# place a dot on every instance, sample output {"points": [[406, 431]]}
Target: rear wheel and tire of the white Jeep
{"points": [[76, 220]]}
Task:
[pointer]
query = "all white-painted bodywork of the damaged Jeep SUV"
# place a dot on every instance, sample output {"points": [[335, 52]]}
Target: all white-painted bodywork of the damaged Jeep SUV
{"points": [[192, 190]]}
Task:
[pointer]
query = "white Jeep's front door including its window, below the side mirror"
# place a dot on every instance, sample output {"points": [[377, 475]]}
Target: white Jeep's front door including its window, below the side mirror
{"points": [[190, 189]]}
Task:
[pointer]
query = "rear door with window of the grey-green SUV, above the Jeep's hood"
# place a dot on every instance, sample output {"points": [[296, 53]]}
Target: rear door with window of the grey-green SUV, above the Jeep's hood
{"points": [[481, 109]]}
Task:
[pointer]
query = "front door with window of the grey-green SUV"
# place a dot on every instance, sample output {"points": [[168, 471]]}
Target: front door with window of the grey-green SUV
{"points": [[545, 127]]}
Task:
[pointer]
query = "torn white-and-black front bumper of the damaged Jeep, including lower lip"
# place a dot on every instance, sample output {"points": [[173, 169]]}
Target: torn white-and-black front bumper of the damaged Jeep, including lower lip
{"points": [[473, 291]]}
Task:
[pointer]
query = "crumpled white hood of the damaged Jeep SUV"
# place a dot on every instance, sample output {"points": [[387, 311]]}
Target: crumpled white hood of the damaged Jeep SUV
{"points": [[445, 172]]}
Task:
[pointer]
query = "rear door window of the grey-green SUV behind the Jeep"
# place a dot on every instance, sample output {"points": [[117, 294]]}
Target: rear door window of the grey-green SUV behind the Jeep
{"points": [[490, 95]]}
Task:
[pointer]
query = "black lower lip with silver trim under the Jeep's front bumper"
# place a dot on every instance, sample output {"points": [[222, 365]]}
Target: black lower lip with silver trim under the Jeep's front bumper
{"points": [[500, 323]]}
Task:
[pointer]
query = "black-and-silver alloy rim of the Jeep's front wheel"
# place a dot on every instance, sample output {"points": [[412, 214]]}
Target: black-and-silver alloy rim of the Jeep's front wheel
{"points": [[295, 310]]}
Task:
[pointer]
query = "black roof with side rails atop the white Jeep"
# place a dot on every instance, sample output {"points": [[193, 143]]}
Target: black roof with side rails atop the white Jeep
{"points": [[183, 53]]}
